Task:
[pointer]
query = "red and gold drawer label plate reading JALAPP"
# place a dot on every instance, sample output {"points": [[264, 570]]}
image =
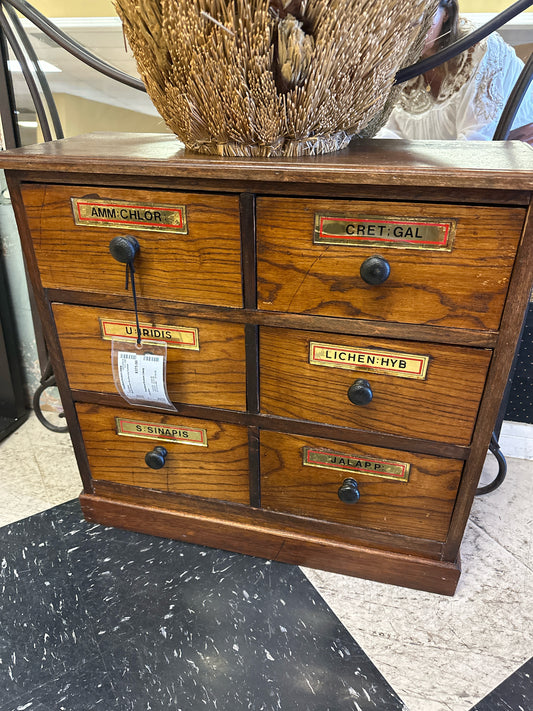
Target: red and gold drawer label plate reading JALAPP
{"points": [[354, 464]]}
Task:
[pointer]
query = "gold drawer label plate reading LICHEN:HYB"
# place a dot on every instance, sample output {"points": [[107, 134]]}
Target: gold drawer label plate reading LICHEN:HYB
{"points": [[402, 365]]}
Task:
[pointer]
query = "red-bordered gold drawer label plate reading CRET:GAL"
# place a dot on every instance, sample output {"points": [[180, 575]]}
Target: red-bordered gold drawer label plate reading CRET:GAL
{"points": [[376, 231]]}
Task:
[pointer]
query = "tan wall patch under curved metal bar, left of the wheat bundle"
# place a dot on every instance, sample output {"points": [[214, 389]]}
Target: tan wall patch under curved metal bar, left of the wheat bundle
{"points": [[84, 116]]}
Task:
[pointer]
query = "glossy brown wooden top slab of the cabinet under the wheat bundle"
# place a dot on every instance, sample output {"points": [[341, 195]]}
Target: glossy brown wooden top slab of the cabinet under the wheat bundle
{"points": [[482, 164]]}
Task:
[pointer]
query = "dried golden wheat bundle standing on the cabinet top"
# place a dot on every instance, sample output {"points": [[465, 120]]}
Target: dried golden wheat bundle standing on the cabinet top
{"points": [[271, 77]]}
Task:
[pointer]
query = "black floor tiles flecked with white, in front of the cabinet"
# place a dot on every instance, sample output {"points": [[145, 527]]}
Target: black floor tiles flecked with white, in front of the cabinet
{"points": [[98, 618]]}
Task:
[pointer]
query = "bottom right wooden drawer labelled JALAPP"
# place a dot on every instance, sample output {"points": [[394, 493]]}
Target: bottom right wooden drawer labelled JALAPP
{"points": [[420, 506]]}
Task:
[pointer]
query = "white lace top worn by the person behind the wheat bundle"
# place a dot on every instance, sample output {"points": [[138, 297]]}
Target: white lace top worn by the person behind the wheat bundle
{"points": [[471, 98]]}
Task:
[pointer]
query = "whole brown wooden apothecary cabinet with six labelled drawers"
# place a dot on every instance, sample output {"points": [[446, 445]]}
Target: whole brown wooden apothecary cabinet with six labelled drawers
{"points": [[356, 315]]}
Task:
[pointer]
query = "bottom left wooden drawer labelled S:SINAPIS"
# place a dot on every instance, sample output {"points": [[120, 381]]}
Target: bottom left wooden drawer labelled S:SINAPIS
{"points": [[218, 470]]}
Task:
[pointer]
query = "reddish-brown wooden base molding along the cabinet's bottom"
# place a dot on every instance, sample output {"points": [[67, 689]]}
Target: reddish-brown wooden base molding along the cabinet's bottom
{"points": [[268, 542]]}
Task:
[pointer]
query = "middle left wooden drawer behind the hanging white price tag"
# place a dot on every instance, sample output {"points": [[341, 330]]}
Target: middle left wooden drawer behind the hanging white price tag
{"points": [[214, 375]]}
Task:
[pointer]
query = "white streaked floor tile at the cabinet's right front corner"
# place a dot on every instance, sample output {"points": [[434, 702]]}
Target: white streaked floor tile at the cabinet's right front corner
{"points": [[445, 654]]}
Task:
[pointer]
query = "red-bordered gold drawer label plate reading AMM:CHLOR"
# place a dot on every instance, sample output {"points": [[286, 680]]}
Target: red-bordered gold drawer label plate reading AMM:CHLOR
{"points": [[135, 215]]}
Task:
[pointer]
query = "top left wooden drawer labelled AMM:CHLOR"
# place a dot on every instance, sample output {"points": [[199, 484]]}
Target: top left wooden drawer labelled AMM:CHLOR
{"points": [[202, 266]]}
